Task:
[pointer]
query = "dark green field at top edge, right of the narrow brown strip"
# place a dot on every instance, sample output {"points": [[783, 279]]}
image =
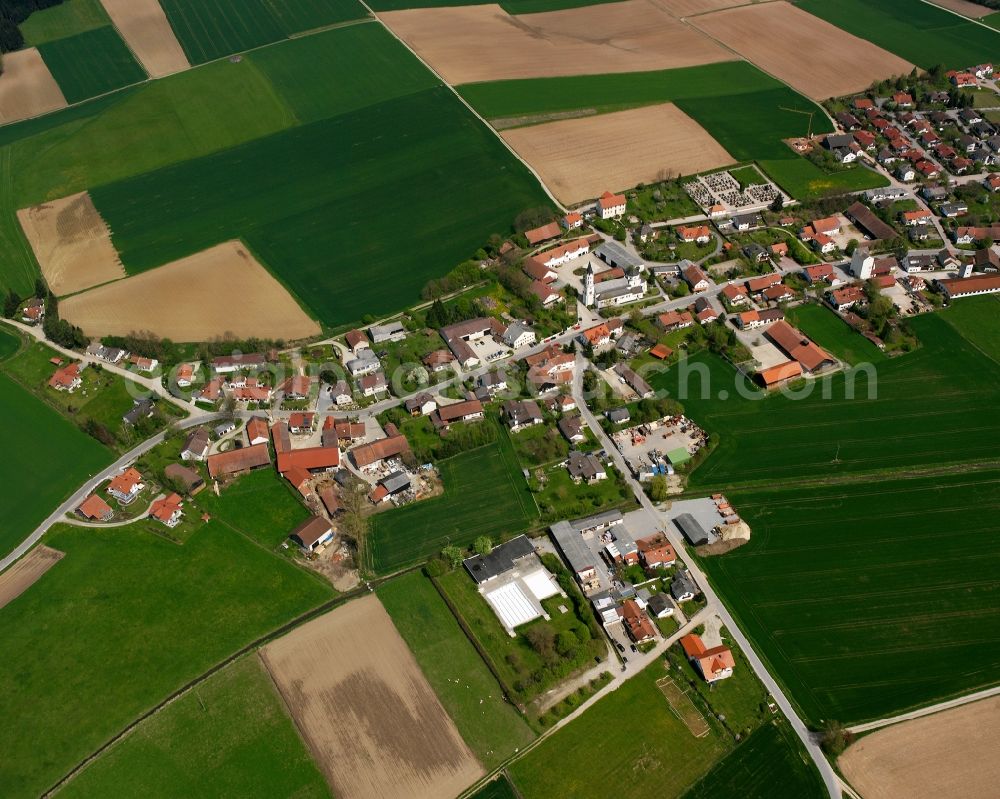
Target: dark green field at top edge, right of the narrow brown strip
{"points": [[210, 29]]}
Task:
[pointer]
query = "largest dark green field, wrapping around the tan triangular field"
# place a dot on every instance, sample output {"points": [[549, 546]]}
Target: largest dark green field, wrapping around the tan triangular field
{"points": [[317, 190]]}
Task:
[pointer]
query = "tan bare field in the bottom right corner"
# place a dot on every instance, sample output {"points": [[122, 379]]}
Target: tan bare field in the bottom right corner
{"points": [[952, 753]]}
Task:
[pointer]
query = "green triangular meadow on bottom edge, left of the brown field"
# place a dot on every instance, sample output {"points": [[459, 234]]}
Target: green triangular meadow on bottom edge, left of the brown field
{"points": [[231, 736]]}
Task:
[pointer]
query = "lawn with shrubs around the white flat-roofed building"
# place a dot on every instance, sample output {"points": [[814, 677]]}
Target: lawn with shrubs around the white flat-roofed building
{"points": [[523, 670]]}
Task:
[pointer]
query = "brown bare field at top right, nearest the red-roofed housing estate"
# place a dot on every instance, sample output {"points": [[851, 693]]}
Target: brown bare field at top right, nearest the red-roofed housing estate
{"points": [[775, 35]]}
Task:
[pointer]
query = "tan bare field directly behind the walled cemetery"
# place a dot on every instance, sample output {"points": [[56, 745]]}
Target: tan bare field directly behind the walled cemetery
{"points": [[580, 158]]}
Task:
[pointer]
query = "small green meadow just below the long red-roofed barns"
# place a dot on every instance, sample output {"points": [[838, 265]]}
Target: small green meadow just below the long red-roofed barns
{"points": [[260, 505]]}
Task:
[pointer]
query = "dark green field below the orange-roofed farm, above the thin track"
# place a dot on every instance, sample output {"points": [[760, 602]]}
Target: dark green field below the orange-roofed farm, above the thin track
{"points": [[926, 408]]}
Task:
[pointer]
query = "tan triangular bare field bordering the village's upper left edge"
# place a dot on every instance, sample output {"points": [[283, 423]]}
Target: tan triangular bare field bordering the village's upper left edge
{"points": [[181, 301]]}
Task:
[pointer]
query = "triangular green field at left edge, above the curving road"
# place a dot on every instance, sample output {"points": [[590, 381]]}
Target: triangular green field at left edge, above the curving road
{"points": [[49, 458]]}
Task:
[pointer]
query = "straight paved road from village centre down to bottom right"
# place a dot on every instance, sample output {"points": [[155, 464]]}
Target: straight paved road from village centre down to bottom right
{"points": [[713, 601]]}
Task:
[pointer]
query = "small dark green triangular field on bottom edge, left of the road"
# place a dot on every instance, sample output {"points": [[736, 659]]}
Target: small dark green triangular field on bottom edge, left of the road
{"points": [[769, 763]]}
